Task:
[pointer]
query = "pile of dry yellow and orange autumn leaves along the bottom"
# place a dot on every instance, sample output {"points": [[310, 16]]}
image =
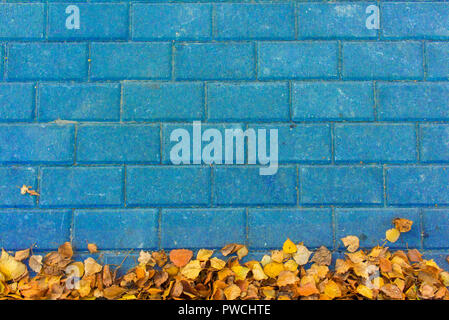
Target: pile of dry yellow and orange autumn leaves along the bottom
{"points": [[374, 274]]}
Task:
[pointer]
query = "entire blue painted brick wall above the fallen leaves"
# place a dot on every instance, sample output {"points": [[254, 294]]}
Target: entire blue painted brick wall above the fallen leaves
{"points": [[86, 115]]}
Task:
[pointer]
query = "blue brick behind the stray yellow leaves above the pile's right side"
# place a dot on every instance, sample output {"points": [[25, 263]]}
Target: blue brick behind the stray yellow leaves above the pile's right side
{"points": [[369, 226]]}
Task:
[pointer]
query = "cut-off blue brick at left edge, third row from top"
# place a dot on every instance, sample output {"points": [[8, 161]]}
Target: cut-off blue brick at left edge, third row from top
{"points": [[16, 102]]}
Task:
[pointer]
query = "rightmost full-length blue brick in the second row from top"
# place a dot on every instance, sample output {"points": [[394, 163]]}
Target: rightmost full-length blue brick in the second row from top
{"points": [[382, 60]]}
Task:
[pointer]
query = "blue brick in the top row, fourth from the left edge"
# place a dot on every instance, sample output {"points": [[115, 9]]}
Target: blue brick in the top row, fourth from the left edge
{"points": [[238, 21]]}
